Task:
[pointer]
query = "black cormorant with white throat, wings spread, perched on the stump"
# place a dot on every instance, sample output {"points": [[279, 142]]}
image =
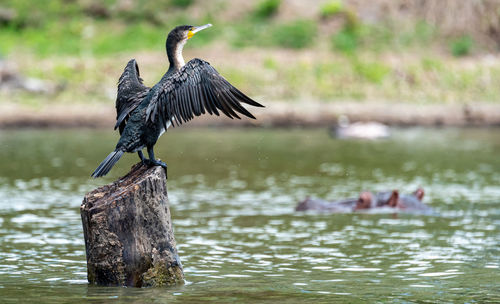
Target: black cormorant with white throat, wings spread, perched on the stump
{"points": [[185, 91]]}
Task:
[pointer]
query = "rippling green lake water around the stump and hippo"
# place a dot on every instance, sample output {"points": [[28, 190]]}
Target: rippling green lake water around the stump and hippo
{"points": [[232, 195]]}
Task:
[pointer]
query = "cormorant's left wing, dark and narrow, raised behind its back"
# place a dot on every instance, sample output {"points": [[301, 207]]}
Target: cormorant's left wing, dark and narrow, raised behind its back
{"points": [[131, 91]]}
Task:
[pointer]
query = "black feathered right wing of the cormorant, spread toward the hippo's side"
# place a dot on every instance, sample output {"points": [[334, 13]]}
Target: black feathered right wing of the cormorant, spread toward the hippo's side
{"points": [[196, 89]]}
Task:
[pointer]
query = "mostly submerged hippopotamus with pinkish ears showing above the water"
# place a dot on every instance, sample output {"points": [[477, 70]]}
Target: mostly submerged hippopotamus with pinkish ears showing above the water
{"points": [[390, 201]]}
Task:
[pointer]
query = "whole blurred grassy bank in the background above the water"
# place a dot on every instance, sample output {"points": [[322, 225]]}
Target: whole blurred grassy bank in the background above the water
{"points": [[430, 62]]}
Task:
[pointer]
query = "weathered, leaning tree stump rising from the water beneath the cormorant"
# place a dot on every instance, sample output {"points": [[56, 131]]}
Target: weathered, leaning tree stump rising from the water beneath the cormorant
{"points": [[128, 232]]}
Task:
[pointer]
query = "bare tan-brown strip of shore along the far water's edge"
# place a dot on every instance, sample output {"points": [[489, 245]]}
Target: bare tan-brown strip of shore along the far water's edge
{"points": [[276, 114]]}
